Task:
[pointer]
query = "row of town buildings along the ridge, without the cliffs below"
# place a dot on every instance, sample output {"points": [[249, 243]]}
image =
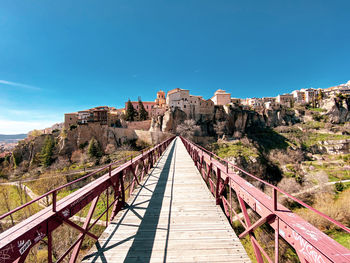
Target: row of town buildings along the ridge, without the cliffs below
{"points": [[192, 105]]}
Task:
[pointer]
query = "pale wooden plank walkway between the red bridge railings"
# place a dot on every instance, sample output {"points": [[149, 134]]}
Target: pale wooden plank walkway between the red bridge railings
{"points": [[172, 217]]}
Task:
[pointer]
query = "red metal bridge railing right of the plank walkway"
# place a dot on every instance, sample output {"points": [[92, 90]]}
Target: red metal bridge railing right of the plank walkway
{"points": [[310, 243]]}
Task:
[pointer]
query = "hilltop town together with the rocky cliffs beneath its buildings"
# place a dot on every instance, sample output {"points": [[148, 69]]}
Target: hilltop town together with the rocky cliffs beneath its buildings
{"points": [[234, 115]]}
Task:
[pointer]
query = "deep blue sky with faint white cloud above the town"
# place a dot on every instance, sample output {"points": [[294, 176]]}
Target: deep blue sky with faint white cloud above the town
{"points": [[63, 56]]}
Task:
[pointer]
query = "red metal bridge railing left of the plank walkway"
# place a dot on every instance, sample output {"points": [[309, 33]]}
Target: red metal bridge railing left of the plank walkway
{"points": [[16, 242]]}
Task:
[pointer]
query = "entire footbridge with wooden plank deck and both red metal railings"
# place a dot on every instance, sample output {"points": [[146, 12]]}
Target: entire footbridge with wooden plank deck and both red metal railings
{"points": [[175, 202]]}
